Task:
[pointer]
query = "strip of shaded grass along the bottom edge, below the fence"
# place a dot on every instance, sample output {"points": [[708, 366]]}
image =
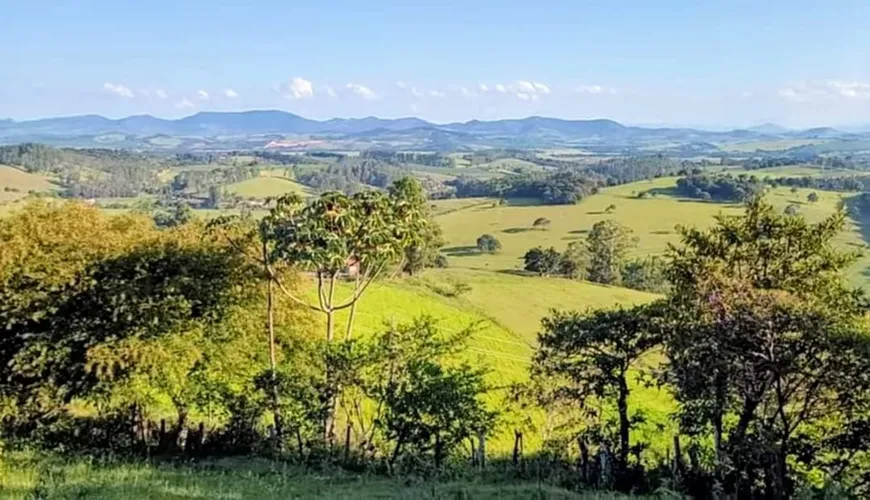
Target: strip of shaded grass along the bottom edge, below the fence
{"points": [[26, 475]]}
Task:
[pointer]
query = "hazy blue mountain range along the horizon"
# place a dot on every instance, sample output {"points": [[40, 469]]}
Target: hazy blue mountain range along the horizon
{"points": [[258, 128]]}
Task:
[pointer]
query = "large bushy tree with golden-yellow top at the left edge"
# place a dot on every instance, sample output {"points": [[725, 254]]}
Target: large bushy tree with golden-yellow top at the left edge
{"points": [[76, 283]]}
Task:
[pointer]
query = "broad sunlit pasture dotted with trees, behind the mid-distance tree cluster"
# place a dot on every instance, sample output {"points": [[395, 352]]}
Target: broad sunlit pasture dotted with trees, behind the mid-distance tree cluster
{"points": [[653, 220]]}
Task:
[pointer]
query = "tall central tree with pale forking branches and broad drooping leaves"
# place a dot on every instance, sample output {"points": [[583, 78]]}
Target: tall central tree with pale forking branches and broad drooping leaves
{"points": [[367, 232]]}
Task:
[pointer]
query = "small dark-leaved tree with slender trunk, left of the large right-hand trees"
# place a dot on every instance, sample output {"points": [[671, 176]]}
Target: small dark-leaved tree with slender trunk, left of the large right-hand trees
{"points": [[595, 353]]}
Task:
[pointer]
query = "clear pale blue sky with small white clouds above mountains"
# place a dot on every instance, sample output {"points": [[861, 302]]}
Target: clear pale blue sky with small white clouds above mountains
{"points": [[669, 62]]}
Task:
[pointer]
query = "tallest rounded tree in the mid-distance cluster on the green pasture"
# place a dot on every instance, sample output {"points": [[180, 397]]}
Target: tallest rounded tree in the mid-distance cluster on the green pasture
{"points": [[608, 243]]}
